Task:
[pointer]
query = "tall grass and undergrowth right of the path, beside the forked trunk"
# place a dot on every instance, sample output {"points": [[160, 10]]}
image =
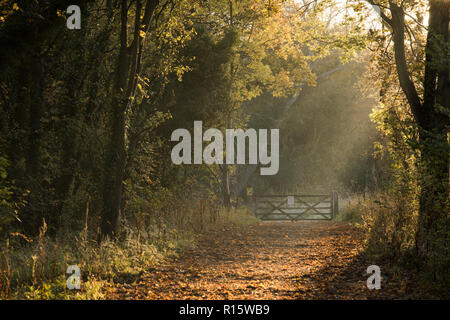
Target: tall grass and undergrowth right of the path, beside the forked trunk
{"points": [[390, 222]]}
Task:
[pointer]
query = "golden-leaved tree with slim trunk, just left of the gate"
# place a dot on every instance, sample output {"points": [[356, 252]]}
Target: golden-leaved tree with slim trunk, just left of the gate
{"points": [[270, 47]]}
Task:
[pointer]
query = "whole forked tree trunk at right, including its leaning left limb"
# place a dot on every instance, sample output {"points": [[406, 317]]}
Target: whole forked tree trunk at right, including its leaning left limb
{"points": [[431, 116]]}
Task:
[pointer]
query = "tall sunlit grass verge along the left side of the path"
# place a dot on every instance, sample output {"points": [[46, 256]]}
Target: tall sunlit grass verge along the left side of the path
{"points": [[150, 232]]}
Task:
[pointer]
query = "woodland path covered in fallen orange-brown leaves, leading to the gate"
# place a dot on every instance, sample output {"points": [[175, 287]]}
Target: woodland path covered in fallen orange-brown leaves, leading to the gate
{"points": [[270, 260]]}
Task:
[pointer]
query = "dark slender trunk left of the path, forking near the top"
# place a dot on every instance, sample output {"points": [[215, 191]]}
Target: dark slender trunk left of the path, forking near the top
{"points": [[124, 90]]}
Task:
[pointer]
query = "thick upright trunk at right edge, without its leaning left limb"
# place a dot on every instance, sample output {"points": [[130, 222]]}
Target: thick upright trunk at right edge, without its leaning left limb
{"points": [[432, 236]]}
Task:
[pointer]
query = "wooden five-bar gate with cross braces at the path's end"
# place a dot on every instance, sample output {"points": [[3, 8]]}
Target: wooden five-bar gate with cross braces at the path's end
{"points": [[296, 207]]}
